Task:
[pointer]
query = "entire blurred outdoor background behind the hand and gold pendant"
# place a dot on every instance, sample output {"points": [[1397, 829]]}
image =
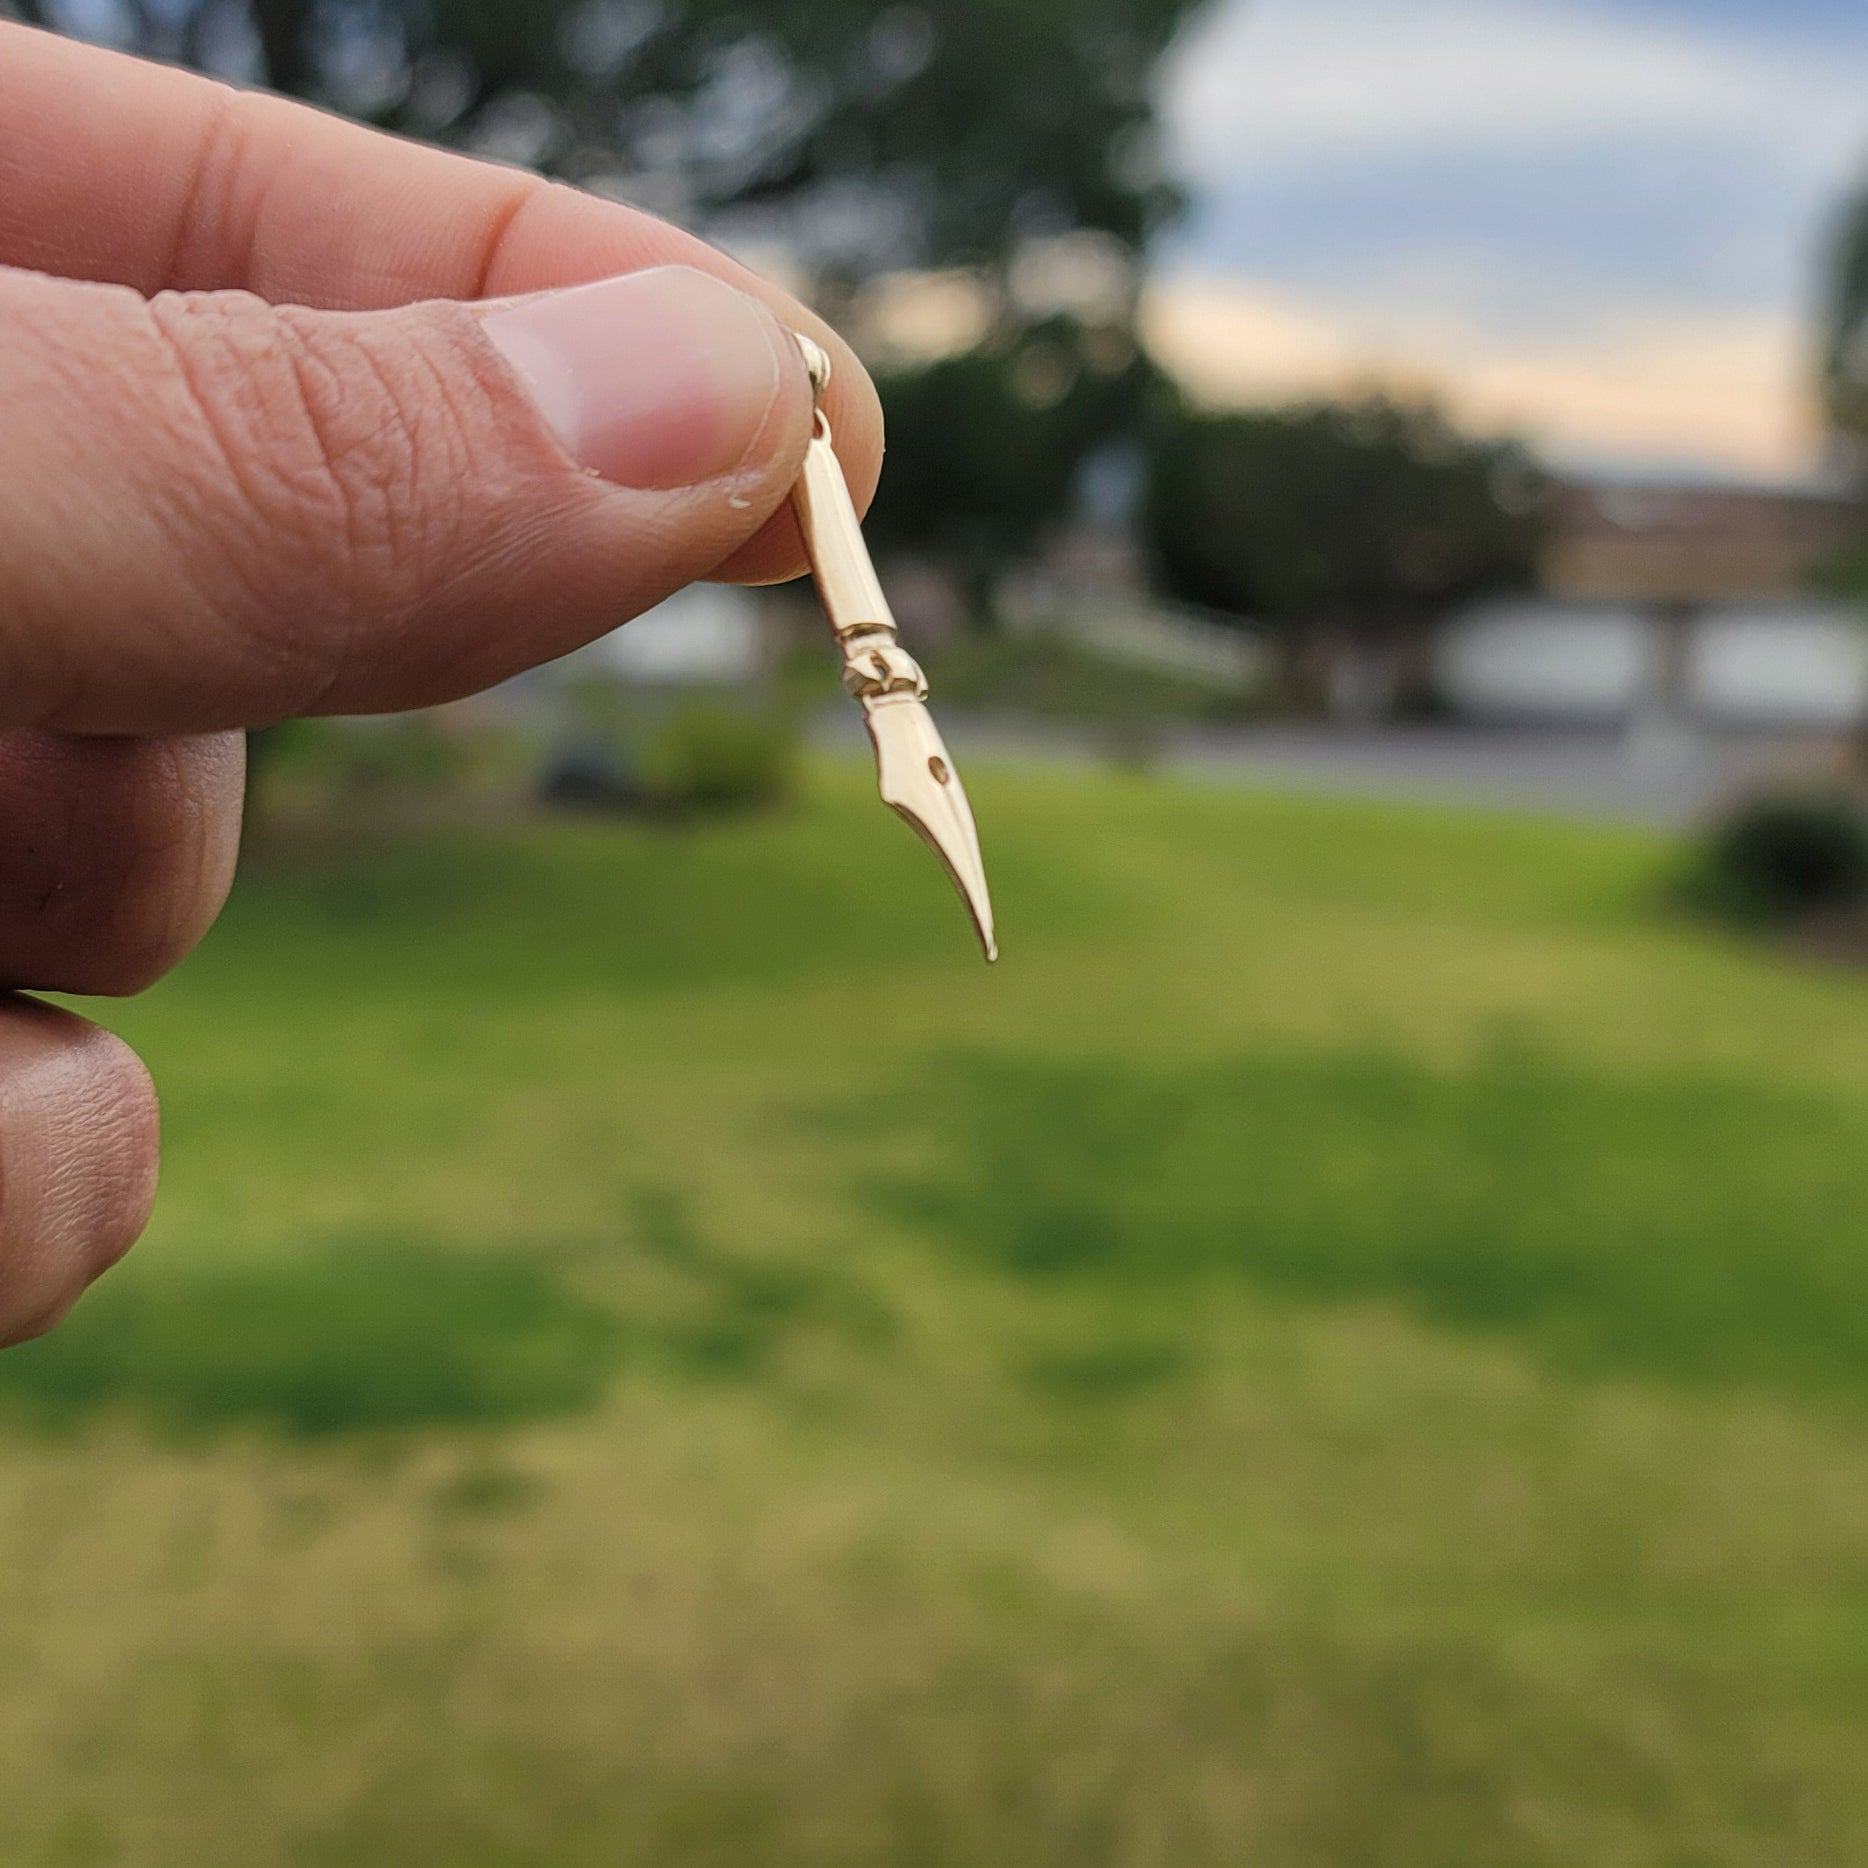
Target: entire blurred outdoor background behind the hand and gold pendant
{"points": [[1351, 1344]]}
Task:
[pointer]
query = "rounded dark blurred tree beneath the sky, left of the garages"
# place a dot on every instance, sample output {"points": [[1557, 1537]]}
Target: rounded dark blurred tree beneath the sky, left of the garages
{"points": [[1350, 528]]}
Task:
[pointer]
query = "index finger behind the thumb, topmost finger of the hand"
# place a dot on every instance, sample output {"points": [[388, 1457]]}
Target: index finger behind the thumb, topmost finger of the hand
{"points": [[135, 175]]}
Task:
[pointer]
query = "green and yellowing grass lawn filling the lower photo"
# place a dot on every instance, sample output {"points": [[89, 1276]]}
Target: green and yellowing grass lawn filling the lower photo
{"points": [[1348, 1348]]}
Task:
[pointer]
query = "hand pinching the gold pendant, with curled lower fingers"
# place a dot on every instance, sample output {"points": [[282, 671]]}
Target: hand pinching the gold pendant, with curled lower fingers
{"points": [[302, 419]]}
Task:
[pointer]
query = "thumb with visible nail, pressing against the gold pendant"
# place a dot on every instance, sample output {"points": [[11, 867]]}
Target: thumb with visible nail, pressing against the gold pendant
{"points": [[216, 513]]}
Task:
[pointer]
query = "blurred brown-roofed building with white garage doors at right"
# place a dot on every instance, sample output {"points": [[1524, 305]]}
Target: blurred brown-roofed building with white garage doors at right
{"points": [[1667, 601]]}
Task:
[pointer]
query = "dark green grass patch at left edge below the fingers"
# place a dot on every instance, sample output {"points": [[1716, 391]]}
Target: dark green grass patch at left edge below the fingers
{"points": [[365, 1337]]}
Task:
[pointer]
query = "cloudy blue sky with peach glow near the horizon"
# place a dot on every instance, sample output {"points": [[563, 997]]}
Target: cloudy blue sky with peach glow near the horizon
{"points": [[1596, 223]]}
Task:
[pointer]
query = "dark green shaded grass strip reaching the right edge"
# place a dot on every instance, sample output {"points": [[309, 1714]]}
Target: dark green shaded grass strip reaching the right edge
{"points": [[1678, 1226]]}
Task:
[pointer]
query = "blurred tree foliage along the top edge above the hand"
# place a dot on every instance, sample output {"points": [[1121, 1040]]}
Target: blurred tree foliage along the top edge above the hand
{"points": [[862, 137]]}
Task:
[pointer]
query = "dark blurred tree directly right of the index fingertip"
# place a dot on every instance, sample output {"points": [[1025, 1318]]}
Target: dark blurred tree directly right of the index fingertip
{"points": [[987, 447]]}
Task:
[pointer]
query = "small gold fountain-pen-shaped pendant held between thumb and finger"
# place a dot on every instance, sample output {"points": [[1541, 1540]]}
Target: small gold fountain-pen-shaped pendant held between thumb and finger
{"points": [[914, 772]]}
